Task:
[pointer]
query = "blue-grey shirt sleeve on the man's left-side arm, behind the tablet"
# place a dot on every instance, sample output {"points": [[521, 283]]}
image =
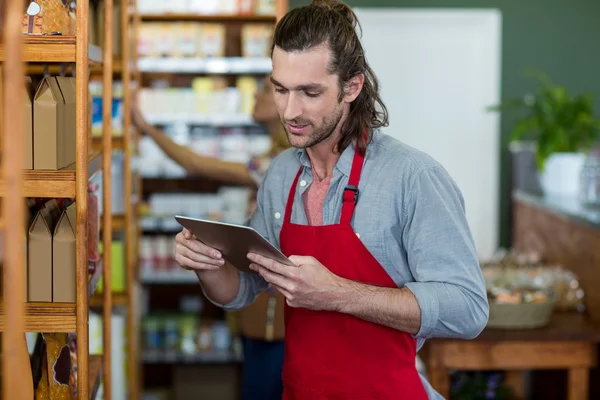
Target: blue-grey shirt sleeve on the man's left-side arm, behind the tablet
{"points": [[251, 284]]}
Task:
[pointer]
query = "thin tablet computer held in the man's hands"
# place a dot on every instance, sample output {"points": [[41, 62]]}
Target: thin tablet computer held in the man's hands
{"points": [[233, 241]]}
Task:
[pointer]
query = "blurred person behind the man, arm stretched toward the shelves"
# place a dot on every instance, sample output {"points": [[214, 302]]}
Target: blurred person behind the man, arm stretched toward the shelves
{"points": [[261, 323]]}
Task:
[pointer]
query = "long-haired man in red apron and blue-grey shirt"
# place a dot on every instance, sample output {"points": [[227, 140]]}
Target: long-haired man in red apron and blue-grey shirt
{"points": [[377, 230]]}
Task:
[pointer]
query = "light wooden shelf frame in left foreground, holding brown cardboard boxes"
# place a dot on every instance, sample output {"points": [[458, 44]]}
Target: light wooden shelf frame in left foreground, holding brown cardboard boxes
{"points": [[16, 315]]}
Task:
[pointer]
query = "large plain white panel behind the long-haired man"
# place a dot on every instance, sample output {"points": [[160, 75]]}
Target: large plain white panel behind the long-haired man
{"points": [[439, 69]]}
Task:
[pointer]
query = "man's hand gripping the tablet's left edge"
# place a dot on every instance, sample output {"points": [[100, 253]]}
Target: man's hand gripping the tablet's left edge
{"points": [[192, 254]]}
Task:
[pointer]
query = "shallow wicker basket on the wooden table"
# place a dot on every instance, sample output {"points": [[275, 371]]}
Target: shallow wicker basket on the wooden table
{"points": [[519, 316]]}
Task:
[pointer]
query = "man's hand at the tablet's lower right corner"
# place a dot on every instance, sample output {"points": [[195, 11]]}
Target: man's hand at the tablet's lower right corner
{"points": [[308, 285]]}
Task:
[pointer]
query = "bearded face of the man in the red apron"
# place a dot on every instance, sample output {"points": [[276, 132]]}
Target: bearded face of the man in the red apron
{"points": [[306, 95]]}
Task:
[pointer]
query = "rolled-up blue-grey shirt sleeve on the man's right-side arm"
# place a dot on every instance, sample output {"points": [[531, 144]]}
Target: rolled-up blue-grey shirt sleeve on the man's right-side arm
{"points": [[449, 284]]}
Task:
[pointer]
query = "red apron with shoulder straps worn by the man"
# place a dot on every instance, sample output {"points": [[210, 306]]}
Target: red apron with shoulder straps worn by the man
{"points": [[330, 355]]}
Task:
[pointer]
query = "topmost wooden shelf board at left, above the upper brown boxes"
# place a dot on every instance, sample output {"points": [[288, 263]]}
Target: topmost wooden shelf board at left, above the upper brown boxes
{"points": [[53, 49]]}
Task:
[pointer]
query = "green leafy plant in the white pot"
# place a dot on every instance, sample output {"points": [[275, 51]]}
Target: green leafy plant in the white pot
{"points": [[556, 120]]}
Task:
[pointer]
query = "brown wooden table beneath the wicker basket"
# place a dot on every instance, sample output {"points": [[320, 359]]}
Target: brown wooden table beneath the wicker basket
{"points": [[568, 342]]}
